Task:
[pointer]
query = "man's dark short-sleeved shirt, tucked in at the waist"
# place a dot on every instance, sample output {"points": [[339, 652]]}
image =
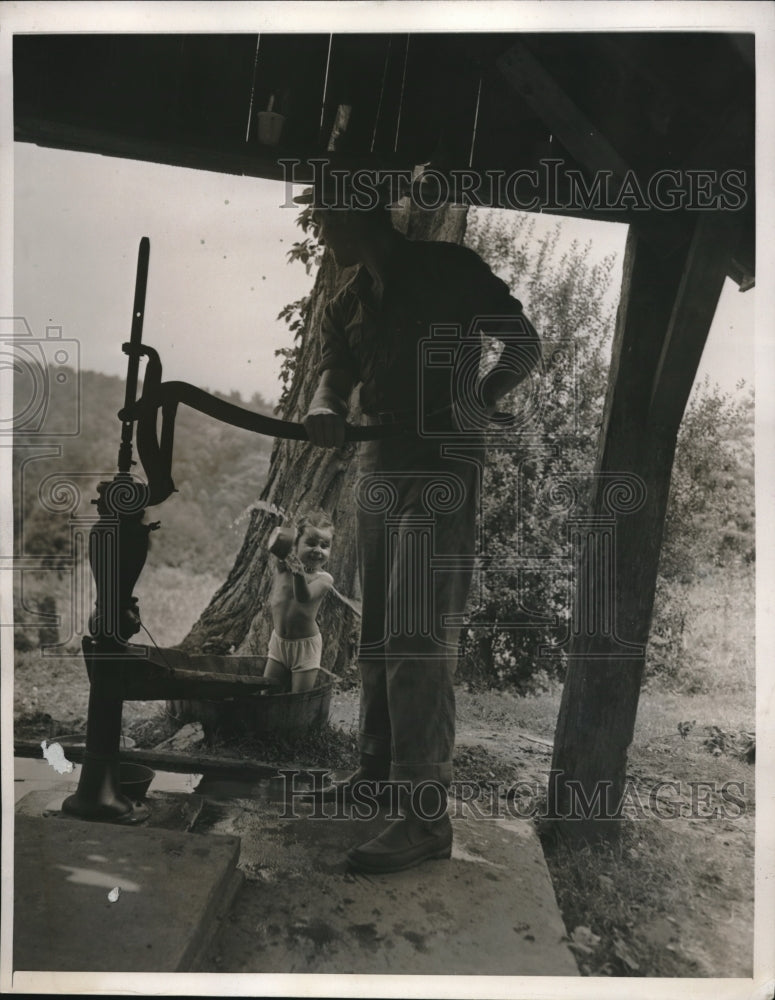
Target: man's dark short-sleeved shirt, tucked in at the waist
{"points": [[433, 288]]}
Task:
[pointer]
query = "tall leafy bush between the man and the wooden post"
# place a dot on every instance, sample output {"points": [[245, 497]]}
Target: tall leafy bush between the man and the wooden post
{"points": [[565, 297]]}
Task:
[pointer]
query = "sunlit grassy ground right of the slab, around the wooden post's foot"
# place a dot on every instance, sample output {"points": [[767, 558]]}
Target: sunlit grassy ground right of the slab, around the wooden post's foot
{"points": [[674, 897]]}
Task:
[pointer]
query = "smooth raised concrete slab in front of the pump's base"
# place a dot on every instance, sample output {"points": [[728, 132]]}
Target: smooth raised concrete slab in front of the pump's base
{"points": [[172, 888]]}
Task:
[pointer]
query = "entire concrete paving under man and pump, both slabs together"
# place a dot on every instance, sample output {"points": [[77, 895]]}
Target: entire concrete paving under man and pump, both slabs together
{"points": [[490, 910]]}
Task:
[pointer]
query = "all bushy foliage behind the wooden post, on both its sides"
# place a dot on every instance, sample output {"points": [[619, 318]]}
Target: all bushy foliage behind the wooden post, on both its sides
{"points": [[710, 520]]}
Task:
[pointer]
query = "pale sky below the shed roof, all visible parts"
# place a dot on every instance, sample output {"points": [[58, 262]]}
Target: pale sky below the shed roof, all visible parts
{"points": [[219, 273]]}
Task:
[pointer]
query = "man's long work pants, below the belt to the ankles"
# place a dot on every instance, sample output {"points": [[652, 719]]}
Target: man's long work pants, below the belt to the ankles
{"points": [[417, 518]]}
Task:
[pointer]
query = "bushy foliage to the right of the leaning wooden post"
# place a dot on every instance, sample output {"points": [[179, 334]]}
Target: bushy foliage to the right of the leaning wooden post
{"points": [[709, 542]]}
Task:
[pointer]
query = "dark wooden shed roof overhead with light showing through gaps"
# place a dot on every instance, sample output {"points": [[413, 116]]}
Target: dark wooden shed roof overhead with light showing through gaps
{"points": [[599, 102]]}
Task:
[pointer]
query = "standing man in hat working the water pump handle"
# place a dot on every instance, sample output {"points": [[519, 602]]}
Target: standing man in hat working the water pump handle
{"points": [[418, 491]]}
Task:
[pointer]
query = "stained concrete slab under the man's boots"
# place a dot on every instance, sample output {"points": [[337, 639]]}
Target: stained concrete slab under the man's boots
{"points": [[490, 910]]}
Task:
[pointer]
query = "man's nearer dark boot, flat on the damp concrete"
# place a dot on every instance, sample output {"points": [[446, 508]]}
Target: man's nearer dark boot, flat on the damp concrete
{"points": [[421, 834]]}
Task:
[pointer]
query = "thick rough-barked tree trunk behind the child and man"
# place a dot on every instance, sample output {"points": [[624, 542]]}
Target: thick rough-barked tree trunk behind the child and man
{"points": [[300, 475]]}
